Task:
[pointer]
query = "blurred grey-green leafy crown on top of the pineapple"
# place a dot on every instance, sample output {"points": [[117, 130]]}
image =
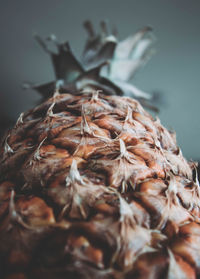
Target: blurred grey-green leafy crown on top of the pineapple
{"points": [[106, 64]]}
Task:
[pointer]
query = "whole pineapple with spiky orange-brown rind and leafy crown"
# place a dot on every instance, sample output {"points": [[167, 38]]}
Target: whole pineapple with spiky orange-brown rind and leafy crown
{"points": [[92, 186]]}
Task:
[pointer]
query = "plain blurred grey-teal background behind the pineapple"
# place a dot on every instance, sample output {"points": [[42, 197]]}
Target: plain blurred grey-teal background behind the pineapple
{"points": [[174, 70]]}
